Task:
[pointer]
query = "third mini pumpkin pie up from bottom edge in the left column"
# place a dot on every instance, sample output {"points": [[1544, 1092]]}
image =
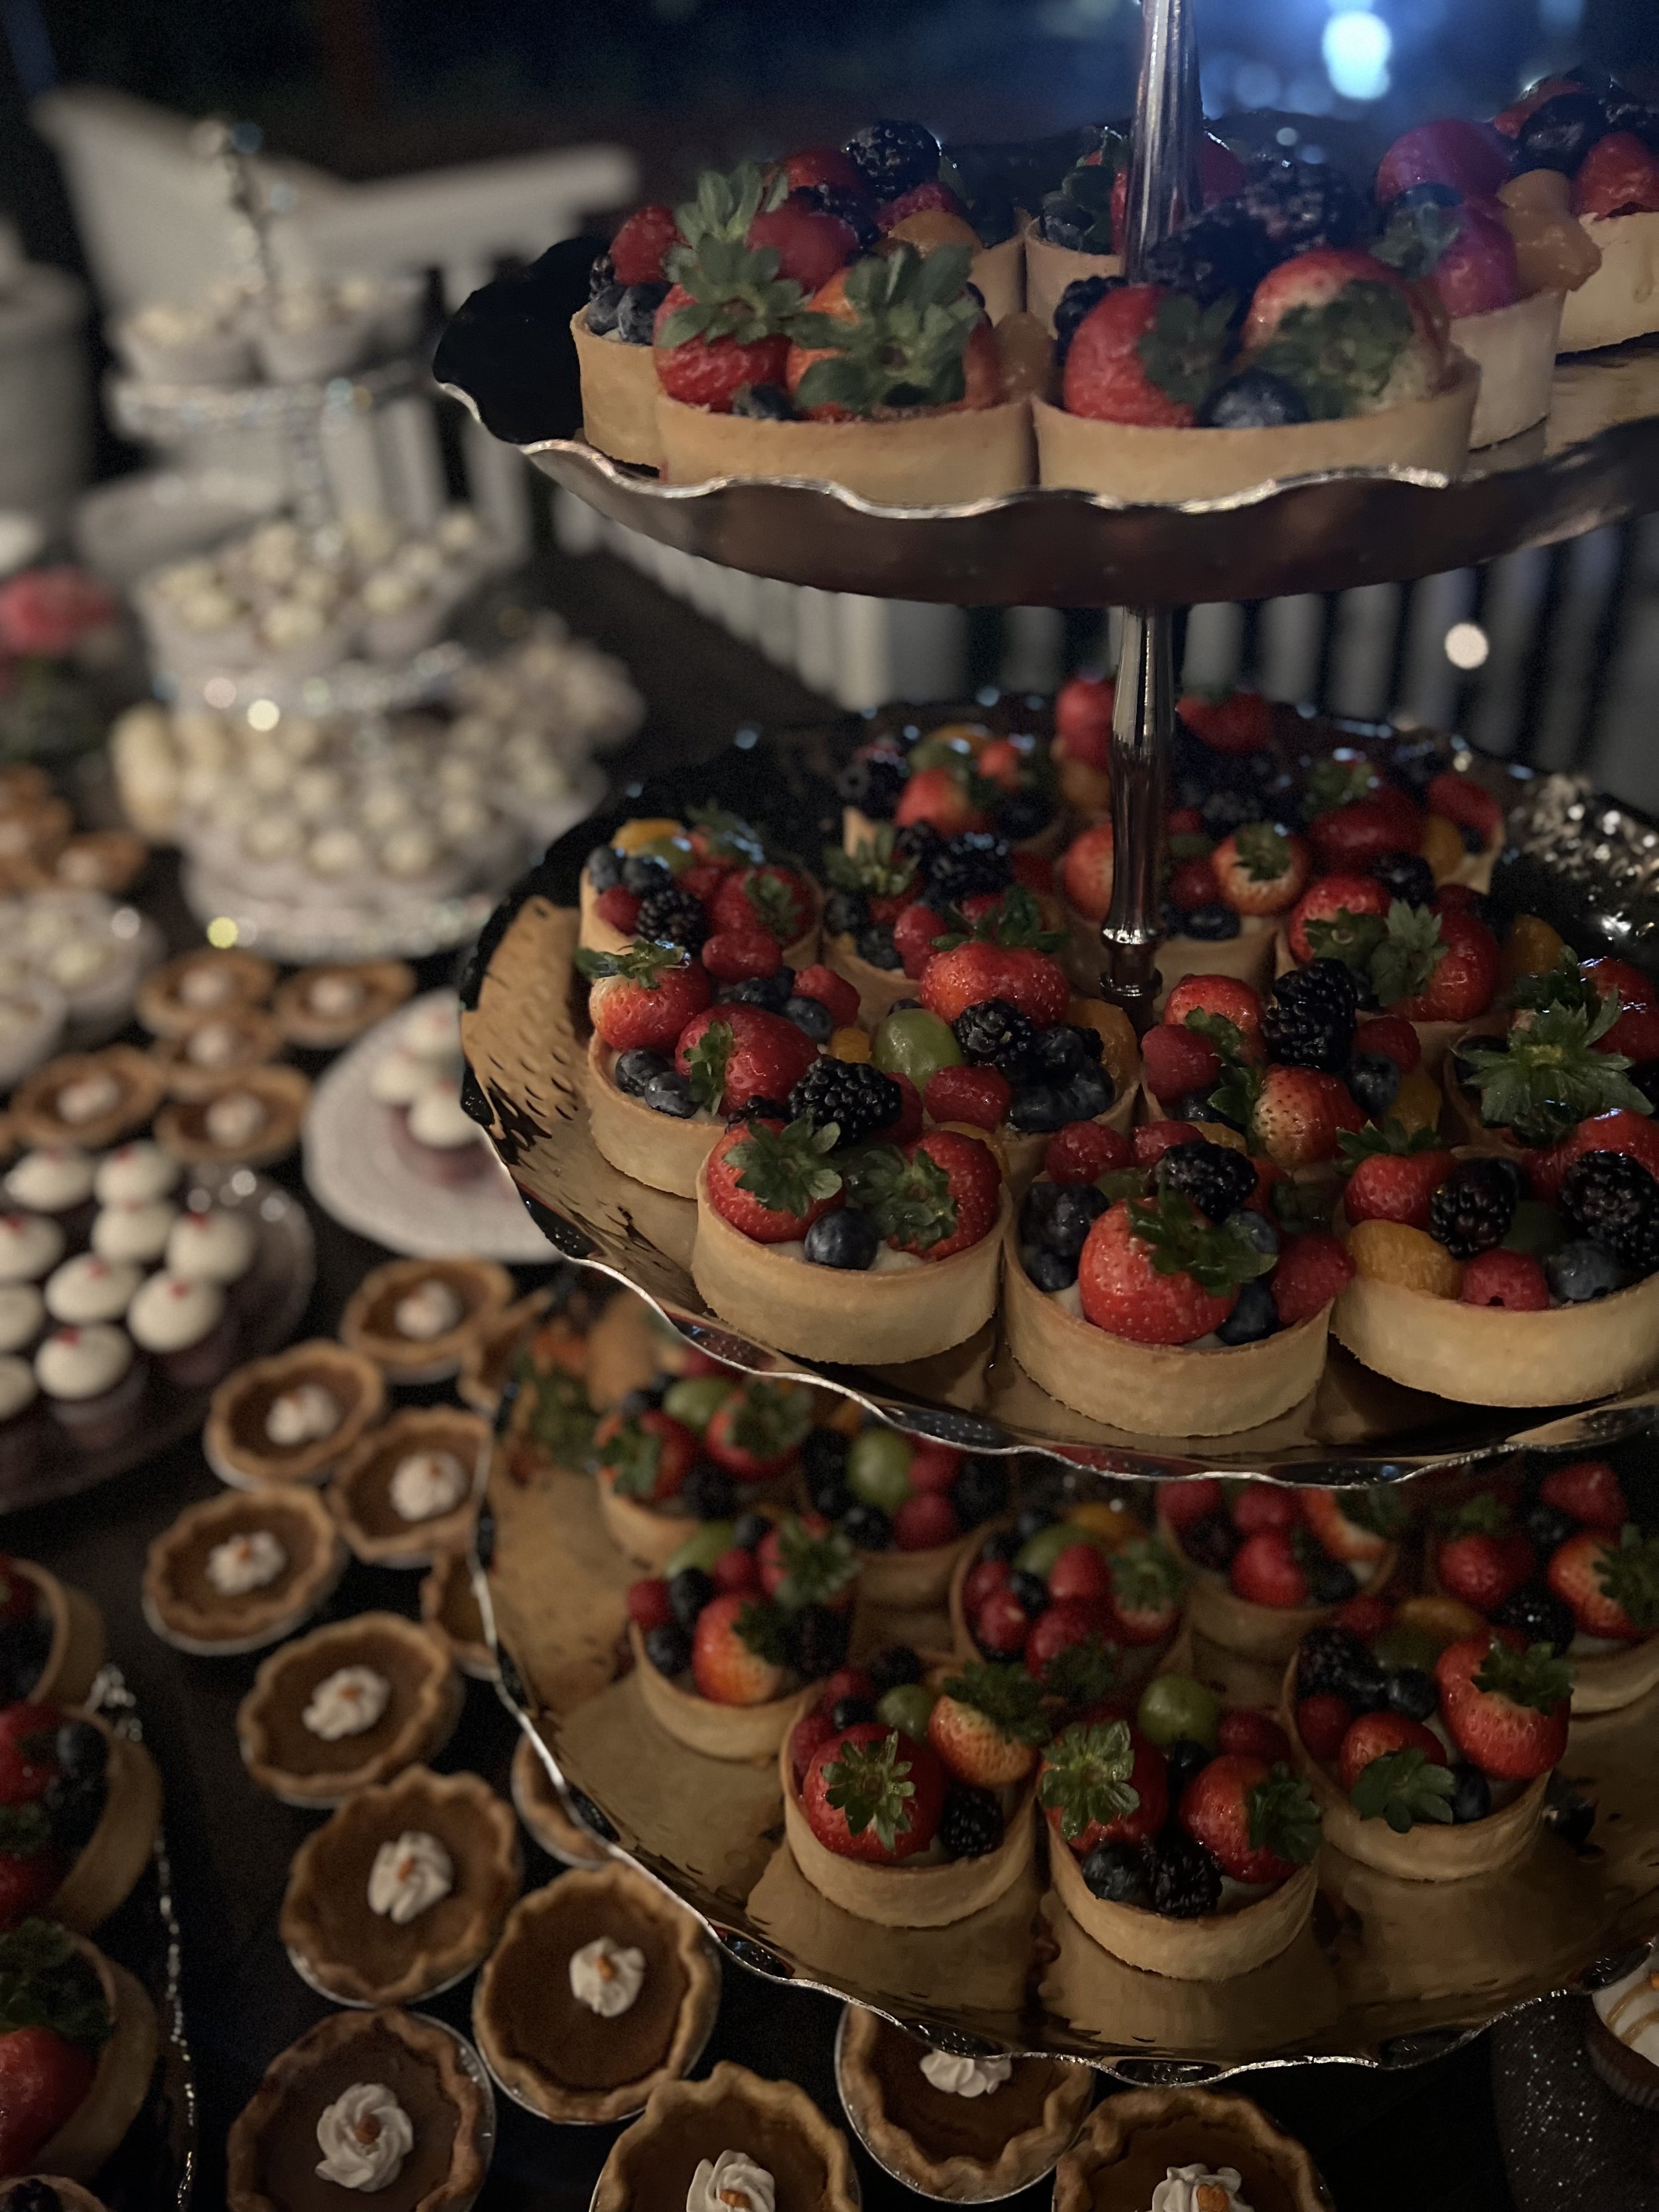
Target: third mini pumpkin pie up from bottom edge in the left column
{"points": [[346, 1707]]}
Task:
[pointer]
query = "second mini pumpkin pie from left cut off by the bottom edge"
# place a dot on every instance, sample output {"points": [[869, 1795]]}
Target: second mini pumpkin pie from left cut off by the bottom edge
{"points": [[729, 2145]]}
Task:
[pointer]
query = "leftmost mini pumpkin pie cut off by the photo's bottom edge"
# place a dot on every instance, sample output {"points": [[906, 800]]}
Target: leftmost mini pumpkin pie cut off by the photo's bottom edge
{"points": [[366, 2103]]}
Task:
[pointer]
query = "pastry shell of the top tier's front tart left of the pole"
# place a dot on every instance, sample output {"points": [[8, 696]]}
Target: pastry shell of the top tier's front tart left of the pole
{"points": [[926, 461]]}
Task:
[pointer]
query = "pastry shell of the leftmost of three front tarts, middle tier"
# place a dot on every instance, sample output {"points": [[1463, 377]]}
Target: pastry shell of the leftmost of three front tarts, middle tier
{"points": [[846, 1315]]}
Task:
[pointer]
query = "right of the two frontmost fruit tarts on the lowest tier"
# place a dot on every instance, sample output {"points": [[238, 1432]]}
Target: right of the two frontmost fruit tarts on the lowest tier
{"points": [[1180, 1839]]}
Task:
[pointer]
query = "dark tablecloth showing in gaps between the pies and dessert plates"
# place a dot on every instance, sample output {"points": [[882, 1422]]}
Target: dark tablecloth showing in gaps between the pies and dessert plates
{"points": [[1423, 2136]]}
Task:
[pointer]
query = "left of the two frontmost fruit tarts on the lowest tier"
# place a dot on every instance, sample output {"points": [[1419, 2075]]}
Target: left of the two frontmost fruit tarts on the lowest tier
{"points": [[917, 1815]]}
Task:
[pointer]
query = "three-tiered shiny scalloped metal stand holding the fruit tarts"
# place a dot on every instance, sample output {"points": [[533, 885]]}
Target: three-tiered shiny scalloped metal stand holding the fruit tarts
{"points": [[1388, 1972]]}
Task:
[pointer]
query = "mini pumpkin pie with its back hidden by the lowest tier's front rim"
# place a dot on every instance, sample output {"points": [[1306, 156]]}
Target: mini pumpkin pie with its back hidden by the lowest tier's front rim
{"points": [[952, 2127]]}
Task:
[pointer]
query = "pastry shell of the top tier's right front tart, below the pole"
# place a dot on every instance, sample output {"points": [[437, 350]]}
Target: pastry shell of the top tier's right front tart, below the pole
{"points": [[1147, 468]]}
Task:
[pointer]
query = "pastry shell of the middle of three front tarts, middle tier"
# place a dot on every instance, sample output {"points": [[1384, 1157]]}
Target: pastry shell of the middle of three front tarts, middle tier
{"points": [[1160, 1390]]}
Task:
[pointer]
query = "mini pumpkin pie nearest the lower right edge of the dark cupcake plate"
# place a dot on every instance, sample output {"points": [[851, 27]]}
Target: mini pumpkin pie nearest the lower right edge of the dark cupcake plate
{"points": [[289, 1419]]}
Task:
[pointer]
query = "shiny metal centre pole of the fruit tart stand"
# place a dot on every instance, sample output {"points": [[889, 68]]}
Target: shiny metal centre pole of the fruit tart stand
{"points": [[1162, 189]]}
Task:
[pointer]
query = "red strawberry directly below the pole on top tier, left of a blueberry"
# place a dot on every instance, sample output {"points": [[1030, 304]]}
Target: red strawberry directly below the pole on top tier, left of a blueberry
{"points": [[1142, 355]]}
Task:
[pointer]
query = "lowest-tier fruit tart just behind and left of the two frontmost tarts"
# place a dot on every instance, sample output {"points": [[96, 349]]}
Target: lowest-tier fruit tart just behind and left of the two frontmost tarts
{"points": [[722, 1651]]}
